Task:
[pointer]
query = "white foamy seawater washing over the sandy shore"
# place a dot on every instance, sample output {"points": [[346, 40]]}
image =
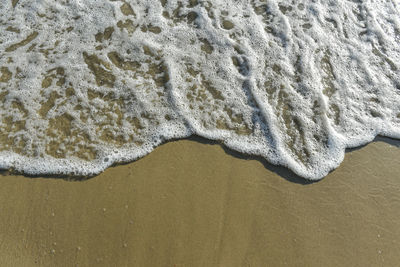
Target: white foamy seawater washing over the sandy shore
{"points": [[86, 84]]}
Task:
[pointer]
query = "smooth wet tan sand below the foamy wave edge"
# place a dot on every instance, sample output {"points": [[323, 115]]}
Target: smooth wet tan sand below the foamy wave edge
{"points": [[193, 204]]}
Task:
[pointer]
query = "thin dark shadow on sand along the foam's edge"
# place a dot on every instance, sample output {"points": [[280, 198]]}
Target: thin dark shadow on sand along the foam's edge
{"points": [[280, 170]]}
